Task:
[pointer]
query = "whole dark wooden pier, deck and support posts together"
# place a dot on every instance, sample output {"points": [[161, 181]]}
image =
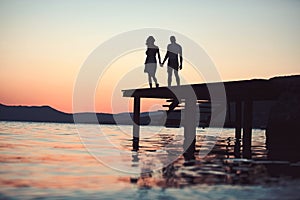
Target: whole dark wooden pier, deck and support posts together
{"points": [[241, 93]]}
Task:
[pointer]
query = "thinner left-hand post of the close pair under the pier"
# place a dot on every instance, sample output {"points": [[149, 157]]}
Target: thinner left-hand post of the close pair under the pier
{"points": [[238, 128]]}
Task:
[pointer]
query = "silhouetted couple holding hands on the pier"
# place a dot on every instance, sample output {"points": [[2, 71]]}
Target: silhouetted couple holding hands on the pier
{"points": [[174, 51]]}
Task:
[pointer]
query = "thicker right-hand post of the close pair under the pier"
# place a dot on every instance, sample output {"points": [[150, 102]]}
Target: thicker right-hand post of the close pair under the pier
{"points": [[247, 128]]}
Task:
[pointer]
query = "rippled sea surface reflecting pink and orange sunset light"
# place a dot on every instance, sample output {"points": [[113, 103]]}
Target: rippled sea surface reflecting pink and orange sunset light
{"points": [[62, 161]]}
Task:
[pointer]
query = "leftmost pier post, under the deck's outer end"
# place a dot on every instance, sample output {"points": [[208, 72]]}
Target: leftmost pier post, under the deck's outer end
{"points": [[136, 124]]}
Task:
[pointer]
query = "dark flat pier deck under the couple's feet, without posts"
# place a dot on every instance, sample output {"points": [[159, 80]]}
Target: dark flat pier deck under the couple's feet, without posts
{"points": [[257, 88]]}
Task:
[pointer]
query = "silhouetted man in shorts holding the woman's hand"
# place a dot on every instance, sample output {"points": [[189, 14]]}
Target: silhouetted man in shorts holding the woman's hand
{"points": [[173, 51]]}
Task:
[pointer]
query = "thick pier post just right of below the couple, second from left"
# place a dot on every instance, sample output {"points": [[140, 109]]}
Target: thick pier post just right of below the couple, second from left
{"points": [[190, 125]]}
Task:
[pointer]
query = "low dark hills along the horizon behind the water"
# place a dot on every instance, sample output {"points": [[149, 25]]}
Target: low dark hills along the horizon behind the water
{"points": [[46, 114]]}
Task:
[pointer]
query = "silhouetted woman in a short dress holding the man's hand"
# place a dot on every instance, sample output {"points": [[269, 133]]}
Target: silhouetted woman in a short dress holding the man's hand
{"points": [[151, 63]]}
